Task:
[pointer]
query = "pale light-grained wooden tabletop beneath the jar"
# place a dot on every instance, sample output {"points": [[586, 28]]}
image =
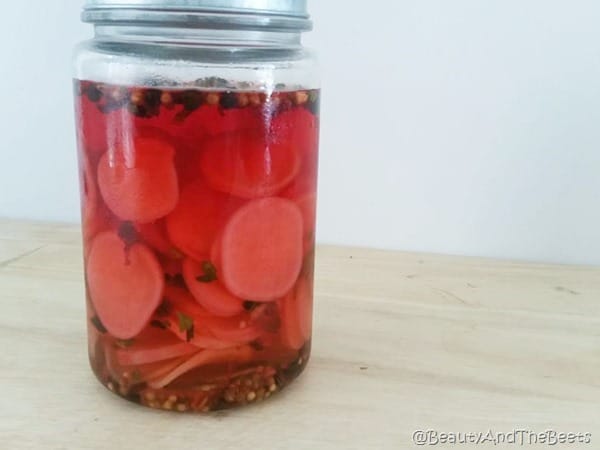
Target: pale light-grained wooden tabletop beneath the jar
{"points": [[402, 342]]}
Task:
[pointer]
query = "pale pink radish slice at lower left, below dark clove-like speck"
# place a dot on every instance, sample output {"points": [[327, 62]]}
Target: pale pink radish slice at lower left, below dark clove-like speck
{"points": [[125, 284]]}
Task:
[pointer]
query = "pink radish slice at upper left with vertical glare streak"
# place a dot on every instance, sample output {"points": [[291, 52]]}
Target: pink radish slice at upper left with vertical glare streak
{"points": [[138, 180]]}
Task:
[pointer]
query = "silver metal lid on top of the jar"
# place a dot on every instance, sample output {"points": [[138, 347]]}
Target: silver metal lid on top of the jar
{"points": [[276, 15]]}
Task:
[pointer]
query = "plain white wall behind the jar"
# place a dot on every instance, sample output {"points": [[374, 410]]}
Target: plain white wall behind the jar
{"points": [[463, 127]]}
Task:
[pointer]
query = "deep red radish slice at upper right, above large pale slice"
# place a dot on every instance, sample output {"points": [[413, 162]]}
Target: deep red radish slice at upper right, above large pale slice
{"points": [[248, 166]]}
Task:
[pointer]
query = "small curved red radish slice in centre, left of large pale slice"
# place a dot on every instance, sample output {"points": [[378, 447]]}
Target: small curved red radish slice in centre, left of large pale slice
{"points": [[210, 294]]}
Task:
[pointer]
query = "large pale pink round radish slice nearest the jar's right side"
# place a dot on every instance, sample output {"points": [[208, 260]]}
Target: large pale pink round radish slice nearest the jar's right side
{"points": [[262, 250]]}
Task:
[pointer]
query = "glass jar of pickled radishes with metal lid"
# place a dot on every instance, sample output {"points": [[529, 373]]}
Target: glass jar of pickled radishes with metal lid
{"points": [[198, 130]]}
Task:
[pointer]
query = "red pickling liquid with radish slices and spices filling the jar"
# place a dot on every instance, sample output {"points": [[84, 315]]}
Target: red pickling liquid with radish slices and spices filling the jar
{"points": [[198, 212]]}
